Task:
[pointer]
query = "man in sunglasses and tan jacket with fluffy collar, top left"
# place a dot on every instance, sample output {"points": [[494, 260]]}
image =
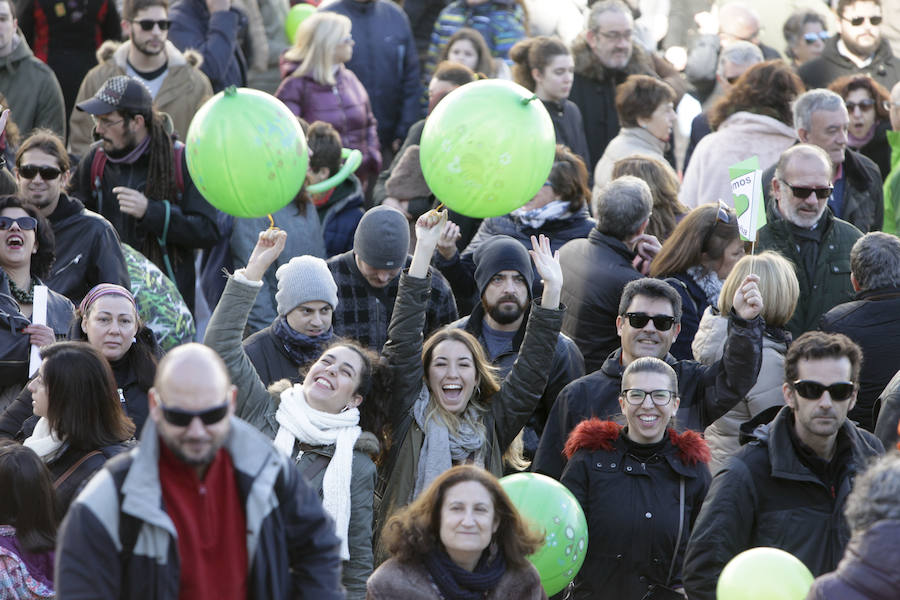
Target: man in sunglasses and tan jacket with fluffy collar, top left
{"points": [[175, 81]]}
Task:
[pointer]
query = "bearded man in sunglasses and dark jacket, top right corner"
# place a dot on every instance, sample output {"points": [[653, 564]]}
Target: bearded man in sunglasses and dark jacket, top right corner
{"points": [[858, 48]]}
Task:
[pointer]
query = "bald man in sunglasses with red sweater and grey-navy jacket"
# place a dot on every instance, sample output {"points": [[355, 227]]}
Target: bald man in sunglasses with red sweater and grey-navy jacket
{"points": [[205, 507]]}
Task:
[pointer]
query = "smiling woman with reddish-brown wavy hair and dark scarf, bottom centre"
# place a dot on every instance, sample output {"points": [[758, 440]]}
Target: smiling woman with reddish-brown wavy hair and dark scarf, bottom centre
{"points": [[461, 538]]}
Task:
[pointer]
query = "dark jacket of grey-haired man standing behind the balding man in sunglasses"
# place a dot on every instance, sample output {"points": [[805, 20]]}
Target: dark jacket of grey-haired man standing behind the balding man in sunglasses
{"points": [[863, 196]]}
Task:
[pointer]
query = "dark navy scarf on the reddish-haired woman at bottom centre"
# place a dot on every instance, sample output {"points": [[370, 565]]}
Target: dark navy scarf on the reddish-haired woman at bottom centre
{"points": [[455, 583]]}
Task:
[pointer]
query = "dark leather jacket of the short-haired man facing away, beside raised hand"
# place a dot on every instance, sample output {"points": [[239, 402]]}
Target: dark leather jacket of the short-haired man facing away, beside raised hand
{"points": [[596, 270]]}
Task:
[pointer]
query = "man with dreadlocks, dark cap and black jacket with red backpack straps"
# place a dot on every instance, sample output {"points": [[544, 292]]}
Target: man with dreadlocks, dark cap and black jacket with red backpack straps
{"points": [[136, 176]]}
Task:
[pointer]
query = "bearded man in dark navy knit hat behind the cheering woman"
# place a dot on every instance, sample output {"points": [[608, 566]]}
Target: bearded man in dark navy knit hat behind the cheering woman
{"points": [[504, 276]]}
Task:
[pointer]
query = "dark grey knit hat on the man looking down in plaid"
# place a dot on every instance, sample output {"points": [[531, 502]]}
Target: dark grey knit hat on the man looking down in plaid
{"points": [[382, 238]]}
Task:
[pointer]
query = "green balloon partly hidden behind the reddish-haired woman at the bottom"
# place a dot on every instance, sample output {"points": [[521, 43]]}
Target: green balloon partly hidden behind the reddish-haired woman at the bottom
{"points": [[550, 507]]}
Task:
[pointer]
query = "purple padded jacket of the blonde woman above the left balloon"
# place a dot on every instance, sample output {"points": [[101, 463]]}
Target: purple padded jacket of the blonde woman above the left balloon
{"points": [[345, 105]]}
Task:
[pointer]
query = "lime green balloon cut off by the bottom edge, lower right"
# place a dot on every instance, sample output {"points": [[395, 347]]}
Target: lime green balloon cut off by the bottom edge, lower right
{"points": [[764, 574]]}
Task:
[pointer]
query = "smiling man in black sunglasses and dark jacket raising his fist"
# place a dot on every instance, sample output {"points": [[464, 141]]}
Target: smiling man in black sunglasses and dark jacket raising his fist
{"points": [[648, 322]]}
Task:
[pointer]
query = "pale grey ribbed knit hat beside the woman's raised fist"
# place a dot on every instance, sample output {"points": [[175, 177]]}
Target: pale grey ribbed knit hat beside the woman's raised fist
{"points": [[304, 279]]}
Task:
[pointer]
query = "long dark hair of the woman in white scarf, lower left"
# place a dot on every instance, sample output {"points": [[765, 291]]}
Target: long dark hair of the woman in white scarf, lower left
{"points": [[83, 405]]}
